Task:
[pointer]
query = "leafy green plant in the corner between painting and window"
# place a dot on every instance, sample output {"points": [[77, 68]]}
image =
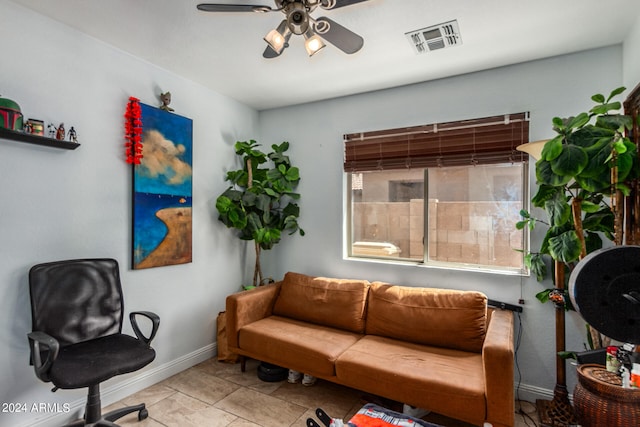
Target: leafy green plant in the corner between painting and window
{"points": [[261, 203]]}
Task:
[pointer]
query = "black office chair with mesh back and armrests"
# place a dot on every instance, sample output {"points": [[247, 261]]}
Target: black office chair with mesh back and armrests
{"points": [[77, 341]]}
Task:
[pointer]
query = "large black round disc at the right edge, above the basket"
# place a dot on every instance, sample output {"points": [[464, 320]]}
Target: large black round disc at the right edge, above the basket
{"points": [[605, 289]]}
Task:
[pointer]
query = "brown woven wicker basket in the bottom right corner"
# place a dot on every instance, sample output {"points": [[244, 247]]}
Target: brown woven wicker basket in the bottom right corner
{"points": [[599, 399]]}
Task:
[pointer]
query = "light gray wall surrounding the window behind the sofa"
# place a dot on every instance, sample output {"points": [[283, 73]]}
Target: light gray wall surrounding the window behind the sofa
{"points": [[560, 86]]}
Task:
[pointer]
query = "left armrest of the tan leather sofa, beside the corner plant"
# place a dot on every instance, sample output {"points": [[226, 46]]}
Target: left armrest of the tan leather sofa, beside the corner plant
{"points": [[247, 307]]}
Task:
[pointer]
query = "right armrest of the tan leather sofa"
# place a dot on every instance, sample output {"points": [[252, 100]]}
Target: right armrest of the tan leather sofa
{"points": [[498, 361]]}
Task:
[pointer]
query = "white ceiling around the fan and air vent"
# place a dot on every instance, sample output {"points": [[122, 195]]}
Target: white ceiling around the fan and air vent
{"points": [[224, 51]]}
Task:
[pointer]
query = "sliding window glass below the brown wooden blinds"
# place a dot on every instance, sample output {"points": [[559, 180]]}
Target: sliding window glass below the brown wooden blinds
{"points": [[471, 215]]}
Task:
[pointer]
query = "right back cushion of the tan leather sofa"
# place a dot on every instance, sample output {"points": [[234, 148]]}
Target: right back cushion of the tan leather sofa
{"points": [[438, 317]]}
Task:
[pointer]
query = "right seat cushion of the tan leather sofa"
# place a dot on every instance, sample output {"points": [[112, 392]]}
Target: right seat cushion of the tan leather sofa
{"points": [[448, 381]]}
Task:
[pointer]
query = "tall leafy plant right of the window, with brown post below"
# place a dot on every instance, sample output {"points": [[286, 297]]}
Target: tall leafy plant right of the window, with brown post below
{"points": [[583, 175]]}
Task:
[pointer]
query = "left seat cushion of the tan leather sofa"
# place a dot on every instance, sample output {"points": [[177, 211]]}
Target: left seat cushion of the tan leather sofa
{"points": [[305, 347]]}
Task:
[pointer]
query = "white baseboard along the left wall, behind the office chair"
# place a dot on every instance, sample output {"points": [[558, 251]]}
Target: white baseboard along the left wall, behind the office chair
{"points": [[116, 392]]}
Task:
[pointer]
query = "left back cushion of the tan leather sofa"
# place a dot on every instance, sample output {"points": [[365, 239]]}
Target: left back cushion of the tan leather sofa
{"points": [[339, 303]]}
